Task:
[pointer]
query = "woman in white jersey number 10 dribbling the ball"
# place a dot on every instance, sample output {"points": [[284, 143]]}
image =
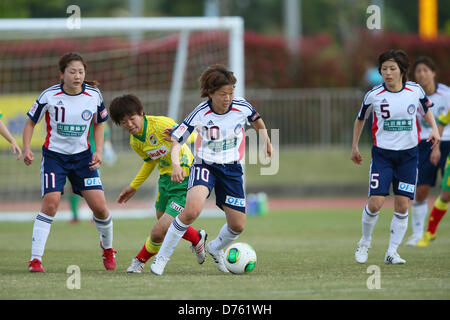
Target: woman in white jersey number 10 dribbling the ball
{"points": [[220, 121]]}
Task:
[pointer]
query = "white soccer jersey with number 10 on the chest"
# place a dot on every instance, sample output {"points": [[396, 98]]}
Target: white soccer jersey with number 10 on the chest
{"points": [[221, 137]]}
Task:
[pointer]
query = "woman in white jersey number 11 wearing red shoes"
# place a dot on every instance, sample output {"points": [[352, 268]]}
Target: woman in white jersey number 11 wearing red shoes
{"points": [[69, 109]]}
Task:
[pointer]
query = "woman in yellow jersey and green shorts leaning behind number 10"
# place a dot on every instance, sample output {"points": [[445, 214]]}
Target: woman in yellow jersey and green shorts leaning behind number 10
{"points": [[147, 140]]}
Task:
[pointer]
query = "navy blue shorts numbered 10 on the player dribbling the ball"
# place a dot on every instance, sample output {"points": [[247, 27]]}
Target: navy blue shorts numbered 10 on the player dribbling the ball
{"points": [[226, 179]]}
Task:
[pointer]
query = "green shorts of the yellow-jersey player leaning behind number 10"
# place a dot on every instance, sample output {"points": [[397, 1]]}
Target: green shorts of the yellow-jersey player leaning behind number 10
{"points": [[171, 195]]}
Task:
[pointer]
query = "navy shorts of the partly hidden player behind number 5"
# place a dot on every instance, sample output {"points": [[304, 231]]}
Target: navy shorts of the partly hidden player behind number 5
{"points": [[427, 171]]}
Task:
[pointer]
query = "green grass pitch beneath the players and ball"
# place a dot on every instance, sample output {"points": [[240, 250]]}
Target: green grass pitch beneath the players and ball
{"points": [[302, 254]]}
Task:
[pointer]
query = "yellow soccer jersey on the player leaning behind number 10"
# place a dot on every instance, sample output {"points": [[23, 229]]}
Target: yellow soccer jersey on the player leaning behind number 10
{"points": [[151, 146]]}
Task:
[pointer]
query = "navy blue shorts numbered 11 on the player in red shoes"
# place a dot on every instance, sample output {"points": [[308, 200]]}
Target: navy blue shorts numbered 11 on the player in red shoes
{"points": [[56, 167]]}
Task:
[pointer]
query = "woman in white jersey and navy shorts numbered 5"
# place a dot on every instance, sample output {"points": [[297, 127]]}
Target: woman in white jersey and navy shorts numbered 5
{"points": [[394, 106]]}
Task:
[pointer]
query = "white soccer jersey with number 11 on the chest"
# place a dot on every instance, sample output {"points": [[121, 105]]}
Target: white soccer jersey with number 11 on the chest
{"points": [[68, 117]]}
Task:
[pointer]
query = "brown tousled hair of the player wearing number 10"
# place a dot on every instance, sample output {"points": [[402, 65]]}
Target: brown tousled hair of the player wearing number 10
{"points": [[215, 77]]}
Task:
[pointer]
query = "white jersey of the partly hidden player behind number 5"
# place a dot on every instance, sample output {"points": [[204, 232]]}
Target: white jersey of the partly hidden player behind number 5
{"points": [[441, 101]]}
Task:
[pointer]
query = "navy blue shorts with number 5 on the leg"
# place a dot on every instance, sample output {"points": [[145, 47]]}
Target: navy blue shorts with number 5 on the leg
{"points": [[396, 167]]}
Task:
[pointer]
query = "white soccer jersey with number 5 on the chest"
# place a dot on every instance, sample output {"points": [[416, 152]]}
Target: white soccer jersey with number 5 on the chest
{"points": [[394, 125]]}
